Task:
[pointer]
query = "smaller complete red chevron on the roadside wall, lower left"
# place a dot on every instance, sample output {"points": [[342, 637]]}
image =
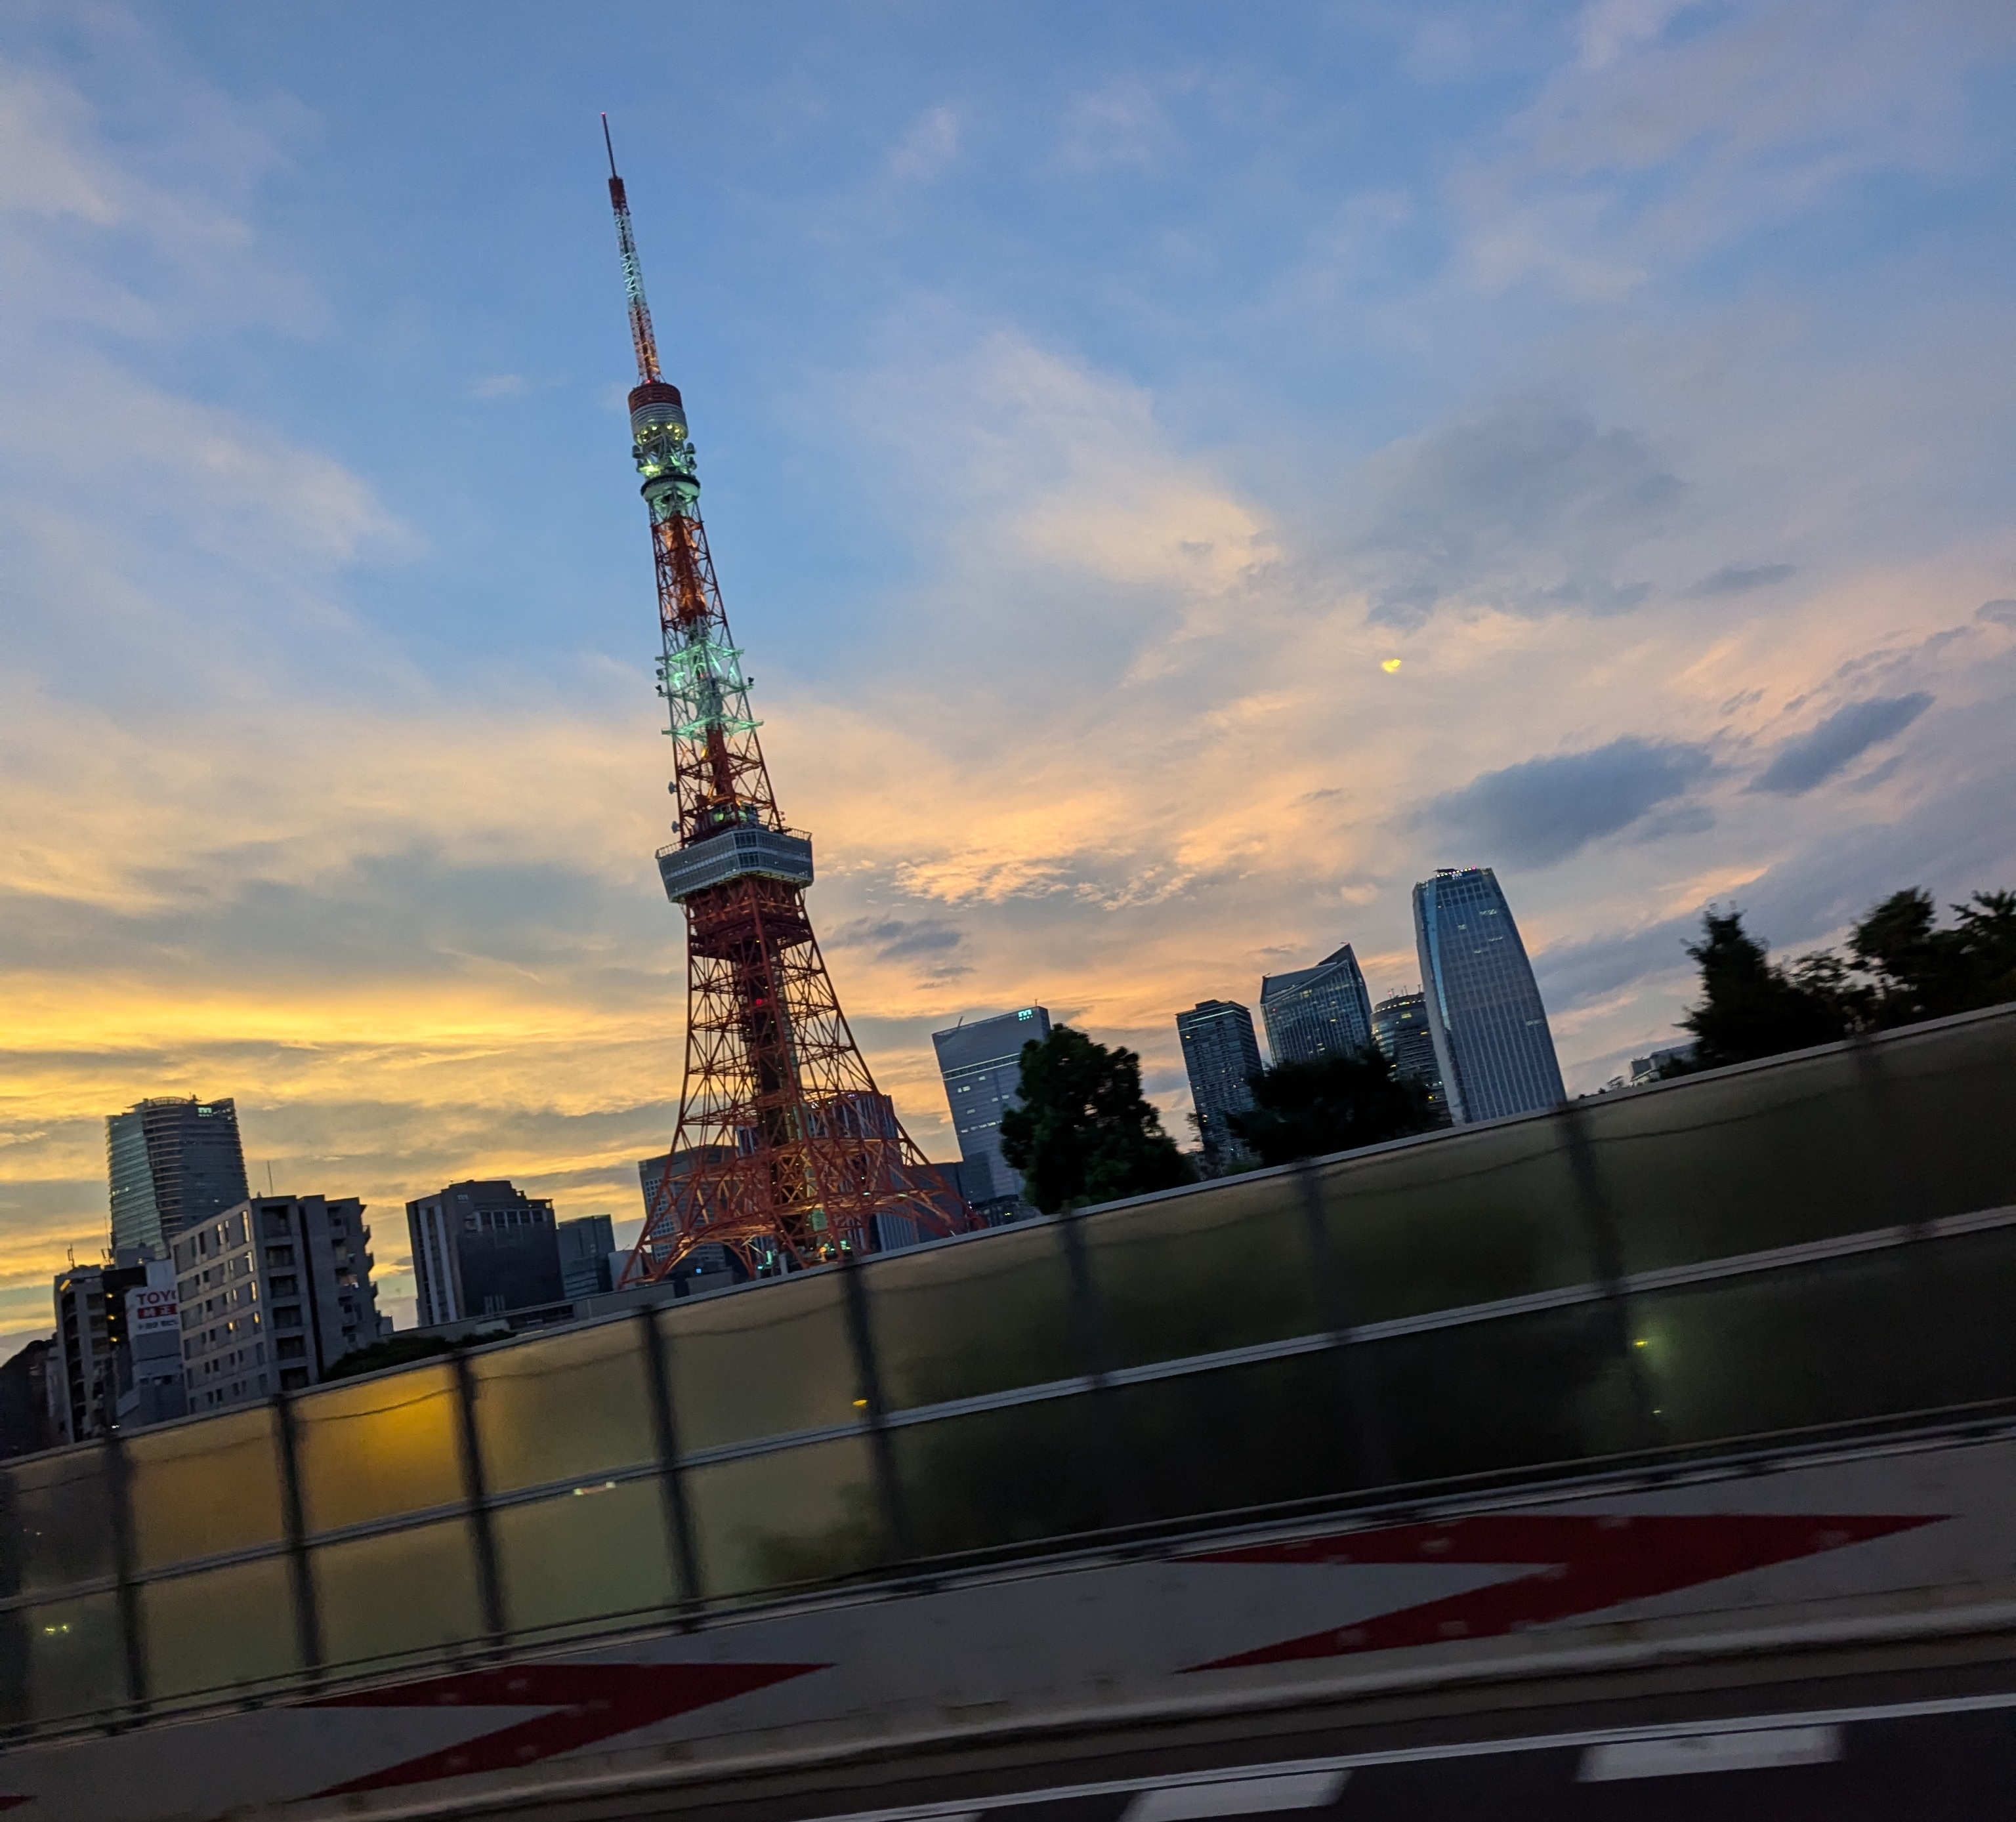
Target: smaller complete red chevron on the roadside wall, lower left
{"points": [[590, 1702]]}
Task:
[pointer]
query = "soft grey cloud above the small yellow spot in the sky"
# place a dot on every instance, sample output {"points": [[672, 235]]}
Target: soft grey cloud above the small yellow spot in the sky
{"points": [[1529, 507]]}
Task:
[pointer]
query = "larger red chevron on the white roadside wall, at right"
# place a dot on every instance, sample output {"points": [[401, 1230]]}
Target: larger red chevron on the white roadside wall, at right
{"points": [[1584, 1565]]}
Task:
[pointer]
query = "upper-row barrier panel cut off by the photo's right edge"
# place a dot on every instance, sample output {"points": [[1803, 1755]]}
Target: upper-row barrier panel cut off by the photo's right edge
{"points": [[1946, 1097]]}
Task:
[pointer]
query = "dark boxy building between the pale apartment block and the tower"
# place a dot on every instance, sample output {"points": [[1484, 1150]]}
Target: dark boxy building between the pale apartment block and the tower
{"points": [[483, 1249]]}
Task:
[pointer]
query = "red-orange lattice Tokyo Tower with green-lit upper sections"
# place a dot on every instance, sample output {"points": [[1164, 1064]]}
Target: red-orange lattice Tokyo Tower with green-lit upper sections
{"points": [[785, 1152]]}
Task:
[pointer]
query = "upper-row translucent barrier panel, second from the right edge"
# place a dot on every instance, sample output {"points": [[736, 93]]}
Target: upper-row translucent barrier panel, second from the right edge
{"points": [[1719, 1166]]}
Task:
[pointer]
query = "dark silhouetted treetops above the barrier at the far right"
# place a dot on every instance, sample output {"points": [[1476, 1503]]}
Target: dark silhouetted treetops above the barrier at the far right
{"points": [[1900, 968]]}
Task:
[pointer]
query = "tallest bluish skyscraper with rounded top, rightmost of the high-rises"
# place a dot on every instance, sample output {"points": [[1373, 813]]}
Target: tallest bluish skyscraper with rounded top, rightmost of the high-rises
{"points": [[1487, 1019]]}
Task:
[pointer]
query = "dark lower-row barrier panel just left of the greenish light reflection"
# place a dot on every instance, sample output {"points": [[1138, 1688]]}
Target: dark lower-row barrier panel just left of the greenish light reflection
{"points": [[1521, 1392]]}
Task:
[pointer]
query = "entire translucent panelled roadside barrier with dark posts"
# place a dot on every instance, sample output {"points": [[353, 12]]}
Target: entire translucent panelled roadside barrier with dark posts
{"points": [[1817, 1241]]}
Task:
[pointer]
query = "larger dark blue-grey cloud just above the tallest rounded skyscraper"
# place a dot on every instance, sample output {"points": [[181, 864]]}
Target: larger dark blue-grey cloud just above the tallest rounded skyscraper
{"points": [[1545, 811]]}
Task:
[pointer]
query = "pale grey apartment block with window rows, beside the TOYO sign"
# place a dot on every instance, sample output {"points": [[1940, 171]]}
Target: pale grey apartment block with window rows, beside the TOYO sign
{"points": [[273, 1295]]}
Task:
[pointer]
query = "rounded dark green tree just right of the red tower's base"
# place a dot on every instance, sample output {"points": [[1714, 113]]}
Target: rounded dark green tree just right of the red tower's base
{"points": [[1082, 1130]]}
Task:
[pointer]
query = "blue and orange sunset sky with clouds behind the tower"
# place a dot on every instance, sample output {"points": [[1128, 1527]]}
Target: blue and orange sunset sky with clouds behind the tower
{"points": [[1180, 477]]}
